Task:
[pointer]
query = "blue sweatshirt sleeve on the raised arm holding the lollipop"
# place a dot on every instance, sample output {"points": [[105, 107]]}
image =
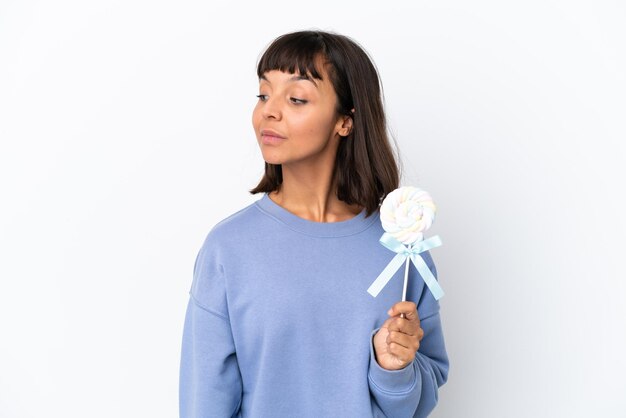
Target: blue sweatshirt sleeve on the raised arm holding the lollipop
{"points": [[412, 392]]}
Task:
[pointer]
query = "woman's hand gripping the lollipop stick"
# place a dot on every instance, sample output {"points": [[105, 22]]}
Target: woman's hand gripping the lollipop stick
{"points": [[398, 339]]}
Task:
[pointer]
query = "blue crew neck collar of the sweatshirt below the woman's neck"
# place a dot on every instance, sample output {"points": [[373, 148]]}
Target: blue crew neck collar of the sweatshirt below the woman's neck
{"points": [[350, 226]]}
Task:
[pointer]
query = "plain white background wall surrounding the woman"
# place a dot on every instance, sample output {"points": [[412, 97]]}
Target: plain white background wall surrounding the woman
{"points": [[126, 135]]}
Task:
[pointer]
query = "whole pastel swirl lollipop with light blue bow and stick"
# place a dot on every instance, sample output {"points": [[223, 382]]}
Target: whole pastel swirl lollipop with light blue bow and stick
{"points": [[405, 214]]}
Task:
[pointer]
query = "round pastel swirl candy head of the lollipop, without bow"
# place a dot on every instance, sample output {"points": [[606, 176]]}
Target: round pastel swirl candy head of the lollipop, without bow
{"points": [[406, 213]]}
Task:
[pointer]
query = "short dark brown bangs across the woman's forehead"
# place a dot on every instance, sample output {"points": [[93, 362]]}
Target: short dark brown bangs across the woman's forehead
{"points": [[293, 53]]}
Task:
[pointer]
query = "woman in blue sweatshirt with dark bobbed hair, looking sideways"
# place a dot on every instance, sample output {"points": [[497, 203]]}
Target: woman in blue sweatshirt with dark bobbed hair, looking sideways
{"points": [[279, 323]]}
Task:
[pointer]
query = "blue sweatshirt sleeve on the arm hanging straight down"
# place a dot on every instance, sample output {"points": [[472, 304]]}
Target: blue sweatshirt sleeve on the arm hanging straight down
{"points": [[210, 382]]}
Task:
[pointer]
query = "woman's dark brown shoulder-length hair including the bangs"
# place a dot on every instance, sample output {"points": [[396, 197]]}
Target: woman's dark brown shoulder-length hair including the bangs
{"points": [[366, 169]]}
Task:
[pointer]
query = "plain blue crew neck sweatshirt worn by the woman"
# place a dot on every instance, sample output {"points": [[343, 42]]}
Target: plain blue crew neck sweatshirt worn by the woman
{"points": [[279, 322]]}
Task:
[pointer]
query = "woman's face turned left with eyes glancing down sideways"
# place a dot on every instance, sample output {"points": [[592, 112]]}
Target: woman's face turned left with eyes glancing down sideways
{"points": [[295, 118]]}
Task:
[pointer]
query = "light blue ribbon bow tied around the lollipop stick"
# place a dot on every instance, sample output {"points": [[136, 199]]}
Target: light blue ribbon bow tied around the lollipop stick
{"points": [[413, 252]]}
